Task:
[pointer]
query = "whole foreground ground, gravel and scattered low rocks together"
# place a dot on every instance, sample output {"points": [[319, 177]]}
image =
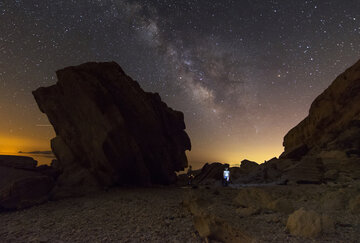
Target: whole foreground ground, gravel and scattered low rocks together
{"points": [[204, 213]]}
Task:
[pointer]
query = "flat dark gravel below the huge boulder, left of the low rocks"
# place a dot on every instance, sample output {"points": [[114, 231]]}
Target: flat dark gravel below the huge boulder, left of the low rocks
{"points": [[119, 215]]}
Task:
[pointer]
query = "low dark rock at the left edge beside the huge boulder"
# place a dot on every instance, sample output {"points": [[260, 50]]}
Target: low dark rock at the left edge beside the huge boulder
{"points": [[22, 184]]}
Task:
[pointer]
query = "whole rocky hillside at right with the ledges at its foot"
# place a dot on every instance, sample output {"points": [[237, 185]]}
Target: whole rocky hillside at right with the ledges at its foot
{"points": [[324, 147]]}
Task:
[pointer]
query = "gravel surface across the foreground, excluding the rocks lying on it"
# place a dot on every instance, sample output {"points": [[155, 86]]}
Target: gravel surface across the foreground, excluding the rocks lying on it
{"points": [[159, 215]]}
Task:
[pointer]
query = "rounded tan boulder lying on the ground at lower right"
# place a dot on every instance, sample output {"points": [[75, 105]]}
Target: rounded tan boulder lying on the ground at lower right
{"points": [[309, 224]]}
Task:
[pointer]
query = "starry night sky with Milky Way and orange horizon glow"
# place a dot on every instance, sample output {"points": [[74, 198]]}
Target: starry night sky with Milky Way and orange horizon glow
{"points": [[243, 72]]}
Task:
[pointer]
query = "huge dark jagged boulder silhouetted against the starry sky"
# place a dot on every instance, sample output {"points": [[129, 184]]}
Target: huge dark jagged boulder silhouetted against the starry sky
{"points": [[109, 131]]}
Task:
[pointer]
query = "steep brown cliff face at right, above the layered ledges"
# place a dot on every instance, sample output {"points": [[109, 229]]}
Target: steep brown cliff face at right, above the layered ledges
{"points": [[333, 123]]}
